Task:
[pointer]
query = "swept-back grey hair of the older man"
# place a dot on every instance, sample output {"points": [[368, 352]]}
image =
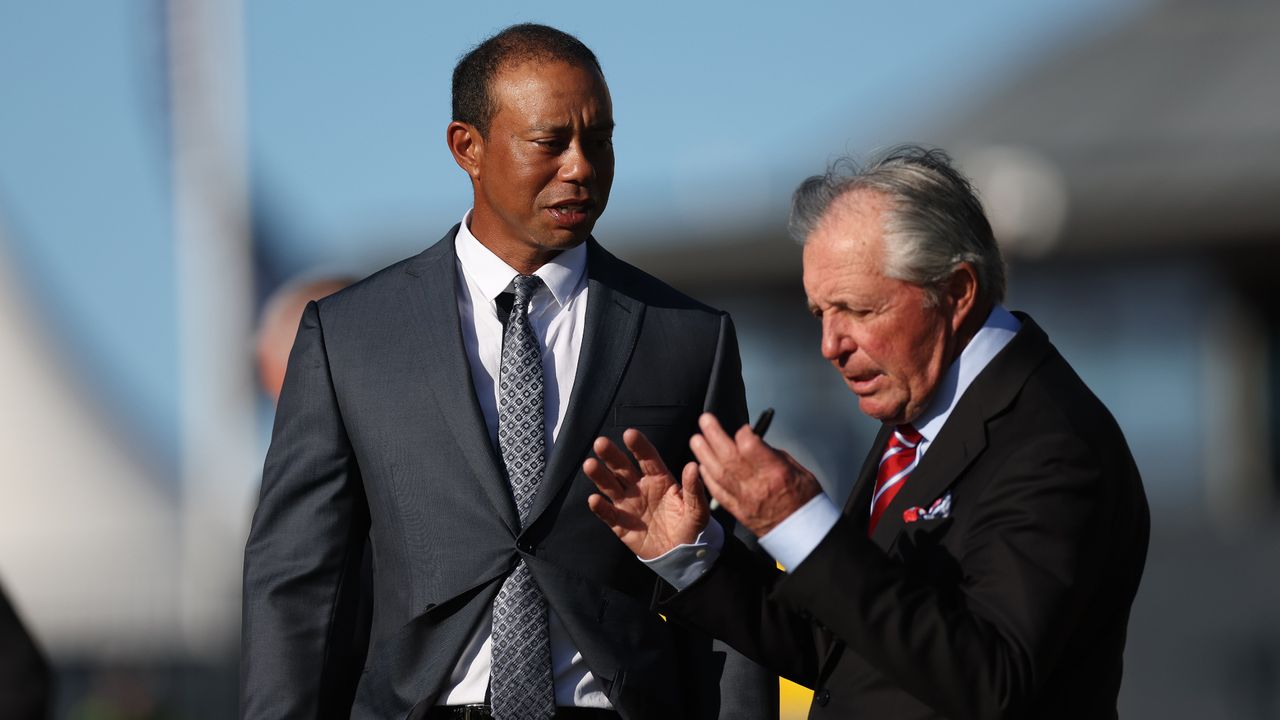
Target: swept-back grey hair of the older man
{"points": [[935, 221]]}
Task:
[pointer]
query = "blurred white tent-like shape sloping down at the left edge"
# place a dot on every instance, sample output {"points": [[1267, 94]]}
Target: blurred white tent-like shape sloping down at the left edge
{"points": [[88, 534]]}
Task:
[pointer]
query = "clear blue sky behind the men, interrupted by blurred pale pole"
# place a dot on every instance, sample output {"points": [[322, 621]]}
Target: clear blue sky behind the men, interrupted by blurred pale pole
{"points": [[721, 110]]}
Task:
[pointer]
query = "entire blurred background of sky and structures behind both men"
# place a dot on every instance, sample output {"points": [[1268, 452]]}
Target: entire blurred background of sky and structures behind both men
{"points": [[168, 167]]}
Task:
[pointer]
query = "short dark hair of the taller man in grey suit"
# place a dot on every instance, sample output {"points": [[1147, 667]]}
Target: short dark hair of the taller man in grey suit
{"points": [[473, 76]]}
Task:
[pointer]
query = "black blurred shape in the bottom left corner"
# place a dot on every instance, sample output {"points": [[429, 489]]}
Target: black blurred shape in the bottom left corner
{"points": [[26, 683]]}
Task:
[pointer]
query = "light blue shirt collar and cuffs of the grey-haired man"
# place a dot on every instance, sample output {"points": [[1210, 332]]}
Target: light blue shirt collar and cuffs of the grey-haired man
{"points": [[796, 537]]}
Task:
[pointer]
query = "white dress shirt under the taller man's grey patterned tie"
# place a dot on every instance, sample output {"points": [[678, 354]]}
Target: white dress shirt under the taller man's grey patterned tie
{"points": [[557, 315]]}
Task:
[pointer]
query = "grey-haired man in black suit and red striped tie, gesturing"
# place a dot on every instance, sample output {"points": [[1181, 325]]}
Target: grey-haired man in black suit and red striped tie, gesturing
{"points": [[989, 557]]}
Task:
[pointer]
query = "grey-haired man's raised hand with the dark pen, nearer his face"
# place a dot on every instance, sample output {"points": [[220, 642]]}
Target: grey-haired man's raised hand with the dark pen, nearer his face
{"points": [[758, 485]]}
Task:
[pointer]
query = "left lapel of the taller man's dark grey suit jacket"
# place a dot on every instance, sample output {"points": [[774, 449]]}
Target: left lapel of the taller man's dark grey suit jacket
{"points": [[445, 363]]}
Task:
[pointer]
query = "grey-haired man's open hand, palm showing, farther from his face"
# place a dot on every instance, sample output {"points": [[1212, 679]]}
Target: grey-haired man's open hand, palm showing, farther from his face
{"points": [[642, 502]]}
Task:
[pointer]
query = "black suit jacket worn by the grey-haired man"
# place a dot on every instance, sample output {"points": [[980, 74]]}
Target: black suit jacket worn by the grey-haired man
{"points": [[1013, 607]]}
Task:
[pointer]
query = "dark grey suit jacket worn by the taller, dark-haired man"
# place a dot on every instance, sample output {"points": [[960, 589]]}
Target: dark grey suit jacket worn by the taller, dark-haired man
{"points": [[380, 436]]}
